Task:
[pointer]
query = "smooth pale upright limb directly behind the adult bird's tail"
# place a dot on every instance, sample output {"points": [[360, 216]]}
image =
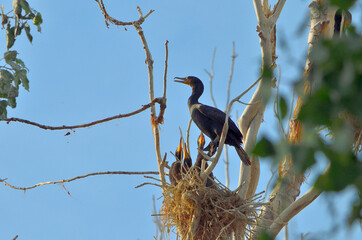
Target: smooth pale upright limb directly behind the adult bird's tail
{"points": [[253, 113]]}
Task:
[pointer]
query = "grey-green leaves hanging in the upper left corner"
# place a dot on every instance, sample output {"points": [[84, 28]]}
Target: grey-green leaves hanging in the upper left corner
{"points": [[13, 71]]}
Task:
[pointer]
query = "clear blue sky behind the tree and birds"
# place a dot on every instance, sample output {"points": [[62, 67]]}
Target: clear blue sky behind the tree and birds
{"points": [[81, 71]]}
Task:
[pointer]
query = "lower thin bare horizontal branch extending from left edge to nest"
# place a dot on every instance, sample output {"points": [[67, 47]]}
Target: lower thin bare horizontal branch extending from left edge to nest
{"points": [[77, 177]]}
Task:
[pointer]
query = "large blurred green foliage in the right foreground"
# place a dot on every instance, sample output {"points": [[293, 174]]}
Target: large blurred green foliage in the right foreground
{"points": [[331, 117]]}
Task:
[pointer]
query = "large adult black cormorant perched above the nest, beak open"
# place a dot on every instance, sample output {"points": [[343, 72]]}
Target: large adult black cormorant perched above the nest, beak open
{"points": [[211, 120]]}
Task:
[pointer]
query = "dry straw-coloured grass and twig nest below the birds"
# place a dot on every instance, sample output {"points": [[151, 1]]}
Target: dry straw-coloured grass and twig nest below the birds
{"points": [[205, 213]]}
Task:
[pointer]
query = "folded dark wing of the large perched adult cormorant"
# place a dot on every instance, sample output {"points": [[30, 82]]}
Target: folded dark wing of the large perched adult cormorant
{"points": [[218, 116]]}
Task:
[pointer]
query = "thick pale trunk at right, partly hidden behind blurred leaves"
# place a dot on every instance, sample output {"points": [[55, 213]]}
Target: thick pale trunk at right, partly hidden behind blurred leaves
{"points": [[282, 200]]}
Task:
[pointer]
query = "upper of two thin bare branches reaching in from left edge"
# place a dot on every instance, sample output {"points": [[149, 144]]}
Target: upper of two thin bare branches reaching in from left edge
{"points": [[144, 107]]}
